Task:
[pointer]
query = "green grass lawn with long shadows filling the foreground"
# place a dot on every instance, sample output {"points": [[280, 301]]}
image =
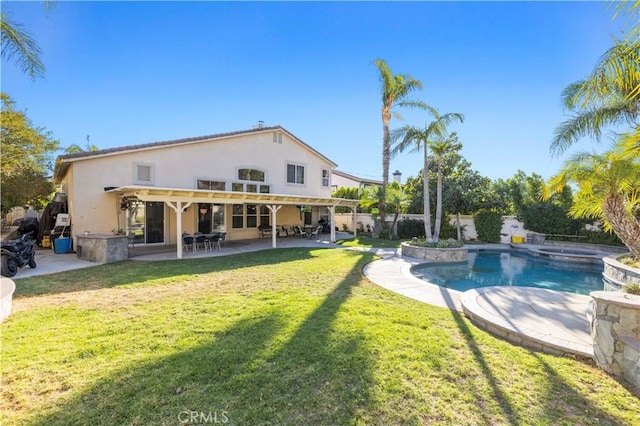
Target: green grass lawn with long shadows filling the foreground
{"points": [[290, 336]]}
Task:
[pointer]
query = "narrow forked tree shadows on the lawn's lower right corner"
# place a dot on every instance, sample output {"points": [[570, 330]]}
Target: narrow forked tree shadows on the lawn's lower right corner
{"points": [[561, 401]]}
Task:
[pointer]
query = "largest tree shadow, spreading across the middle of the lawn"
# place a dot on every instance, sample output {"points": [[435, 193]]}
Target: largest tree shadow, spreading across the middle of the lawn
{"points": [[248, 374]]}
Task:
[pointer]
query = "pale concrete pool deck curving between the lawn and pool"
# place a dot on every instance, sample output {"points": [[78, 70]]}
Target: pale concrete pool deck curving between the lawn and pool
{"points": [[545, 320]]}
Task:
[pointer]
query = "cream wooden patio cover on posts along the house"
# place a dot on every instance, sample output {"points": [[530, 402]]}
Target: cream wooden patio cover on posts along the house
{"points": [[181, 198]]}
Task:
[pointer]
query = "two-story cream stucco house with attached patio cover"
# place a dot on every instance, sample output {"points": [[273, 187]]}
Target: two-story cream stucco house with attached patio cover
{"points": [[234, 182]]}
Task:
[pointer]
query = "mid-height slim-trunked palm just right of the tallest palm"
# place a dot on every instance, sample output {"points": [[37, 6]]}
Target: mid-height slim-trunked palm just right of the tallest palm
{"points": [[416, 139]]}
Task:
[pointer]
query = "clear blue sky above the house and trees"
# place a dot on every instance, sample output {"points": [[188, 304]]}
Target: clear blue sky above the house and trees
{"points": [[136, 72]]}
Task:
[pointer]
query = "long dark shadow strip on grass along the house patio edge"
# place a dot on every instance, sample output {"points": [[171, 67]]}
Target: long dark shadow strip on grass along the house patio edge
{"points": [[130, 272]]}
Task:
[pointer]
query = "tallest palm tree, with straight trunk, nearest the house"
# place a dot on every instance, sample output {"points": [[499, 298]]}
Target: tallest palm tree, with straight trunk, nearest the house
{"points": [[395, 88]]}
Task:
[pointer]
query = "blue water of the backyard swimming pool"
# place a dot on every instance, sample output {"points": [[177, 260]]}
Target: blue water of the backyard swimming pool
{"points": [[513, 269]]}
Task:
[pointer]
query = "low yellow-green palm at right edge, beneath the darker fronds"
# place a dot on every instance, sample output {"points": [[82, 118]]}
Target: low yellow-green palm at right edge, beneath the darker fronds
{"points": [[608, 189]]}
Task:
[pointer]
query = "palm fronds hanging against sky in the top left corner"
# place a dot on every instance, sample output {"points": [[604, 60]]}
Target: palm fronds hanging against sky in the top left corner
{"points": [[18, 45]]}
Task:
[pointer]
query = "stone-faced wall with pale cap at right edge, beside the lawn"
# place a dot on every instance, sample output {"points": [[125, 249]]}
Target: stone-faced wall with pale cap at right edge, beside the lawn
{"points": [[615, 329]]}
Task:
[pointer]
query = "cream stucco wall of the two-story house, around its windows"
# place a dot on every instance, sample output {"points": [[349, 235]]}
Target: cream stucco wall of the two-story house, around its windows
{"points": [[180, 166]]}
